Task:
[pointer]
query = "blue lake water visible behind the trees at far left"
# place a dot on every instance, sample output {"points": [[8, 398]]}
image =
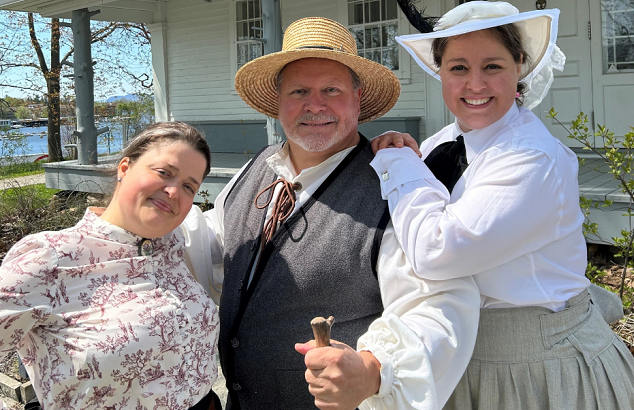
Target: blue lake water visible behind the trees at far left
{"points": [[36, 142]]}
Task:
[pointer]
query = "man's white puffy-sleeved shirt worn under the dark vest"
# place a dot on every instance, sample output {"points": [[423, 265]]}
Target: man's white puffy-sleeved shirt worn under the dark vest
{"points": [[426, 334]]}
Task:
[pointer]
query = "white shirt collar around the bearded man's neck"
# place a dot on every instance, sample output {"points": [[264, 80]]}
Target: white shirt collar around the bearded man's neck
{"points": [[281, 164]]}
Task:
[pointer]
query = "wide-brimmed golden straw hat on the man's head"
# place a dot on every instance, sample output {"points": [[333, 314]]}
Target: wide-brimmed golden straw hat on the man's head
{"points": [[317, 37]]}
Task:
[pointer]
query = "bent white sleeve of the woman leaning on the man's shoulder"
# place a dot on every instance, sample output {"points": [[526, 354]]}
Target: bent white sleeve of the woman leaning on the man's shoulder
{"points": [[511, 206]]}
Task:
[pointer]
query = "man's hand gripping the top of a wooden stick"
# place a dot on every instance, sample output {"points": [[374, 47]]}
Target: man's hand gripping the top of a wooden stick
{"points": [[338, 376]]}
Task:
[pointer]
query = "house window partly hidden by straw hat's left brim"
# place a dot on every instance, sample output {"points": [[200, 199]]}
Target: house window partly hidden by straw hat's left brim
{"points": [[248, 31]]}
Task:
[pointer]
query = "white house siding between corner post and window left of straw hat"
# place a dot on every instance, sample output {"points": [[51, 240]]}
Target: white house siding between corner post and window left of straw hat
{"points": [[198, 56]]}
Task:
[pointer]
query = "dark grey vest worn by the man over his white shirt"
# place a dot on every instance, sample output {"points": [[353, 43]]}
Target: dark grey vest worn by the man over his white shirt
{"points": [[320, 262]]}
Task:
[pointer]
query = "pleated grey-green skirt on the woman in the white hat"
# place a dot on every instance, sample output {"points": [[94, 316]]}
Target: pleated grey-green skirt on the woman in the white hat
{"points": [[533, 359]]}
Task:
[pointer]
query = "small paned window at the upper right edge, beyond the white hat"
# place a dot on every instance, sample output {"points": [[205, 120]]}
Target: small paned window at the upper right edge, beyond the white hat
{"points": [[617, 18]]}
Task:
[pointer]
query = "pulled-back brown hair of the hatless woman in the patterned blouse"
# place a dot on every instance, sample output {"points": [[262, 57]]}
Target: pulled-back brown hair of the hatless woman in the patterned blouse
{"points": [[165, 133]]}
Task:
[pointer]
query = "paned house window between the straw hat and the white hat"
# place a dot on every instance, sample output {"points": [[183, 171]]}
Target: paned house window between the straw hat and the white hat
{"points": [[374, 24]]}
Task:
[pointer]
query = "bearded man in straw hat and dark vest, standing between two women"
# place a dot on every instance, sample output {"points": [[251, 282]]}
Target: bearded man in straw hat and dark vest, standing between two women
{"points": [[302, 232]]}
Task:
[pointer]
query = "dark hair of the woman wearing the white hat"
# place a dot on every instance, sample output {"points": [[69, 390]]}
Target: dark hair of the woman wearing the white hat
{"points": [[508, 34]]}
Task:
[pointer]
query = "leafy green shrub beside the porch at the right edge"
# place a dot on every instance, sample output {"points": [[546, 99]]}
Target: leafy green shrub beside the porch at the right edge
{"points": [[618, 154]]}
